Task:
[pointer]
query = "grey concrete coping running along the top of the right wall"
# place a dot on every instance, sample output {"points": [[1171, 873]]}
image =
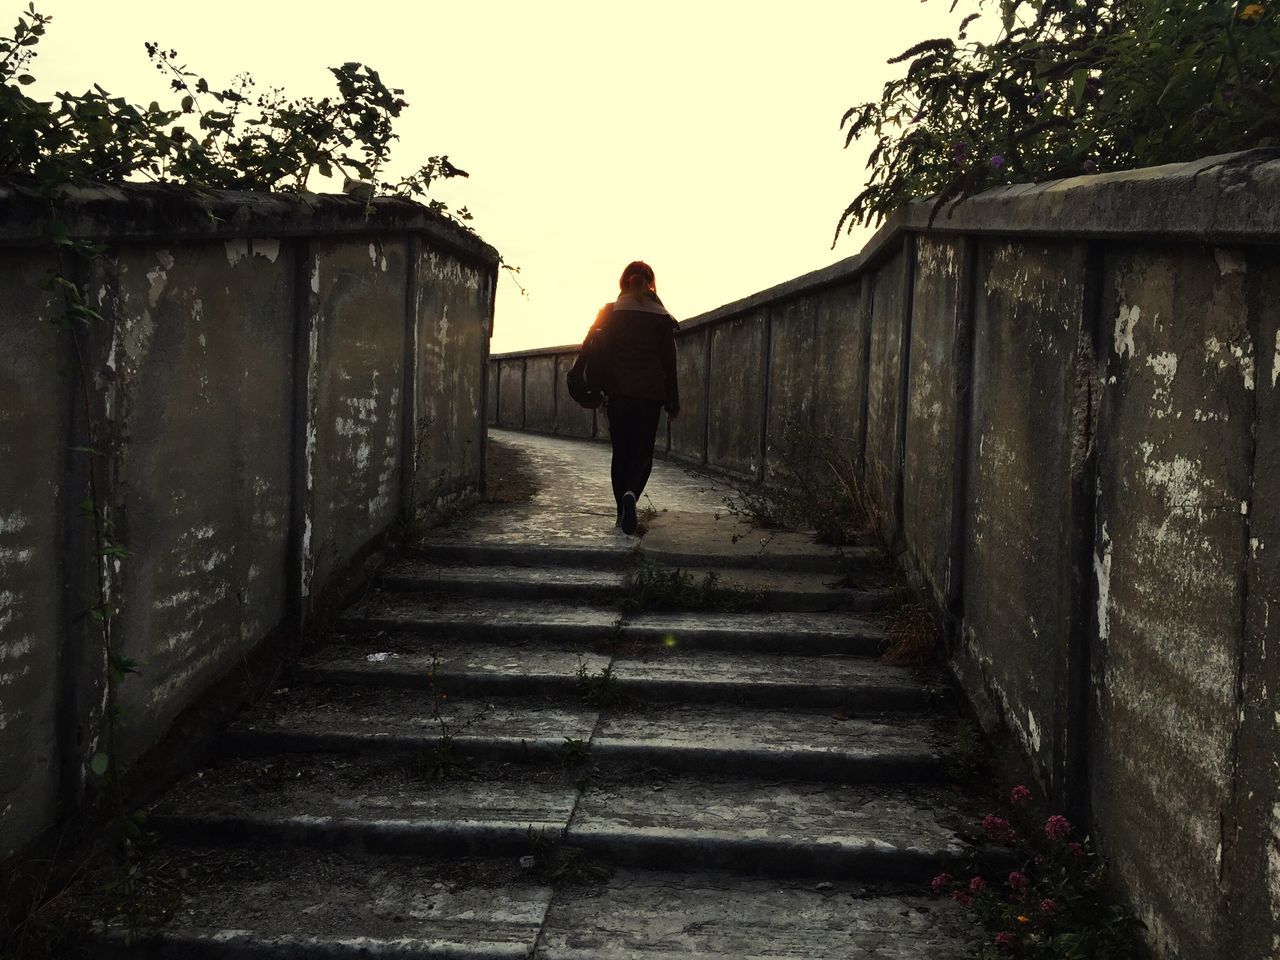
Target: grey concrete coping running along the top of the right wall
{"points": [[1229, 199]]}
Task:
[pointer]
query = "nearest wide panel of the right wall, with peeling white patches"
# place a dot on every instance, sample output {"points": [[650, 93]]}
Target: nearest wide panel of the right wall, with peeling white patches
{"points": [[1174, 496]]}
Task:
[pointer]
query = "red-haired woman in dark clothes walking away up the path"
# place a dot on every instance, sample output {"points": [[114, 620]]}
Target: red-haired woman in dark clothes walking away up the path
{"points": [[639, 349]]}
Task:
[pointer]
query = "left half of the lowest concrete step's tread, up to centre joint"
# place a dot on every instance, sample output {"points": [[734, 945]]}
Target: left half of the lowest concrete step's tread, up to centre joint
{"points": [[237, 899]]}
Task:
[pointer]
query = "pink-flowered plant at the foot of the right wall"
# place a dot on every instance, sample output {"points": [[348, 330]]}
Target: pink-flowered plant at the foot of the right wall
{"points": [[1057, 904]]}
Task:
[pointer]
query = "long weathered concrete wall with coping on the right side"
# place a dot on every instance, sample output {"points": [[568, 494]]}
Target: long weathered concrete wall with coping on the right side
{"points": [[1064, 401]]}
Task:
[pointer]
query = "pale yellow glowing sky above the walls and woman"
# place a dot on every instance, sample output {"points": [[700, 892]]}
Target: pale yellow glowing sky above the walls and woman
{"points": [[698, 135]]}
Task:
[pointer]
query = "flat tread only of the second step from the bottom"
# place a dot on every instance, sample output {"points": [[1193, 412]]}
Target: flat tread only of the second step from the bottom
{"points": [[353, 793]]}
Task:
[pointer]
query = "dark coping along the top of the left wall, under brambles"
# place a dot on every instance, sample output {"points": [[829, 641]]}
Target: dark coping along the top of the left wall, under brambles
{"points": [[162, 212]]}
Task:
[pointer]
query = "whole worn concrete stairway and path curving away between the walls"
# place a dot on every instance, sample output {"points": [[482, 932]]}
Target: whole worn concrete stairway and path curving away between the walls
{"points": [[486, 762]]}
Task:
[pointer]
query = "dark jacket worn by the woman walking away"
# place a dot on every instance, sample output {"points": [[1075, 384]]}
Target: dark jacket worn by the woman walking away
{"points": [[641, 350]]}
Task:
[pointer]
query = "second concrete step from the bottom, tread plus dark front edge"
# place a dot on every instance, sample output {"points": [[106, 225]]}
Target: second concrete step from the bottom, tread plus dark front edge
{"points": [[639, 817]]}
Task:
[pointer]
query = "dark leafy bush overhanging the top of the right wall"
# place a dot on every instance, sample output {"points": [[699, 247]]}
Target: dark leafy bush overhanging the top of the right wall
{"points": [[1068, 88]]}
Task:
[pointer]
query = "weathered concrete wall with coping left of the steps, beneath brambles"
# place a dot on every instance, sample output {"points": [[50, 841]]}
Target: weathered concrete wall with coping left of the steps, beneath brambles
{"points": [[275, 380]]}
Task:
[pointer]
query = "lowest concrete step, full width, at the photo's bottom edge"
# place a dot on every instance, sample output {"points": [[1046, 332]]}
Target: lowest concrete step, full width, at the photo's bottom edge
{"points": [[257, 904]]}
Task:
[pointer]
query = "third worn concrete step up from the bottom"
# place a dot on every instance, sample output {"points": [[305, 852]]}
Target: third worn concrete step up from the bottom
{"points": [[687, 738]]}
